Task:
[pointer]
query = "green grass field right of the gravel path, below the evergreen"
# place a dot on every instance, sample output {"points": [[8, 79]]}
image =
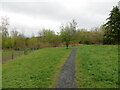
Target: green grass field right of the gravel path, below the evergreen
{"points": [[97, 66]]}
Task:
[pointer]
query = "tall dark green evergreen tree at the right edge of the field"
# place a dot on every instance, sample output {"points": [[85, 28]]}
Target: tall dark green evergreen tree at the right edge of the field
{"points": [[112, 27]]}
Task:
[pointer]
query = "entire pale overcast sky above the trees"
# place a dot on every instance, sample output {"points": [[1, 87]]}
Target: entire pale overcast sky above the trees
{"points": [[30, 16]]}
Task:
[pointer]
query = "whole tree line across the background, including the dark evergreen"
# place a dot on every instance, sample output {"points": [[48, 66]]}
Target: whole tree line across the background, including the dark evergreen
{"points": [[109, 33]]}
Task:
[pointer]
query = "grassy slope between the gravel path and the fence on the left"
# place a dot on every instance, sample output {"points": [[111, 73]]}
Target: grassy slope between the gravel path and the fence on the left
{"points": [[35, 70]]}
